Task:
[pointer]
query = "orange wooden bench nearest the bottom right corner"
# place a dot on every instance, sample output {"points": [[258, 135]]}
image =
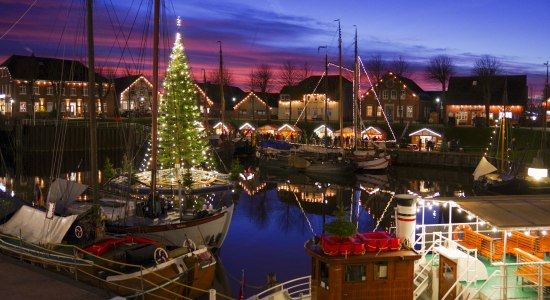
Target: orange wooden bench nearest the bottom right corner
{"points": [[530, 272]]}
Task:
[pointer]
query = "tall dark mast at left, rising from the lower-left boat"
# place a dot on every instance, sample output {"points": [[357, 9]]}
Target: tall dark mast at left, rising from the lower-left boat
{"points": [[92, 107]]}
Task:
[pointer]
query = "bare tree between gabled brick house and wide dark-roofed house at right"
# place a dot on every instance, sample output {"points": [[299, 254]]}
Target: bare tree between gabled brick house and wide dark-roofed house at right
{"points": [[440, 69]]}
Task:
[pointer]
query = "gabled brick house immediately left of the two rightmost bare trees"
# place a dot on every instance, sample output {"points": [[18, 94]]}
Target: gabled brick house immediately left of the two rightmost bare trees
{"points": [[399, 98]]}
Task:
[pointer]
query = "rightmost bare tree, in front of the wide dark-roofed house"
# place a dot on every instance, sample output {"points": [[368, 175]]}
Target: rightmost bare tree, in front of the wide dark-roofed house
{"points": [[487, 68]]}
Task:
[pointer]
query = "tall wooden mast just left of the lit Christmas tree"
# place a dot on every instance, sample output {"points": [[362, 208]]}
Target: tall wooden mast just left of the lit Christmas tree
{"points": [[154, 105]]}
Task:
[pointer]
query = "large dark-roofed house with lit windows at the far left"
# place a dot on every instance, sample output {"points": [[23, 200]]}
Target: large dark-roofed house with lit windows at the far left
{"points": [[32, 84]]}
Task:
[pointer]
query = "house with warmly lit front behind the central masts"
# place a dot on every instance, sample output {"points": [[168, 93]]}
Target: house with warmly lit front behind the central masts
{"points": [[306, 100]]}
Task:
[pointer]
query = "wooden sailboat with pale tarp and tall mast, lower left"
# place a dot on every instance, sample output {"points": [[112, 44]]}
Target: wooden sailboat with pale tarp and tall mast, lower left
{"points": [[126, 266]]}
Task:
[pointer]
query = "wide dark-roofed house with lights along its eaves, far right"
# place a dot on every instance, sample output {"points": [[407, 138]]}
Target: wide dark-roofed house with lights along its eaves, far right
{"points": [[466, 100]]}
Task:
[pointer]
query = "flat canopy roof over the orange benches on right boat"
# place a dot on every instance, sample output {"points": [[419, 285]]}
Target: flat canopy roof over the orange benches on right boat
{"points": [[508, 212]]}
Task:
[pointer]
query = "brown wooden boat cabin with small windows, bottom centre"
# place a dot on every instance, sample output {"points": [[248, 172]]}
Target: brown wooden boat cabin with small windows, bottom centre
{"points": [[370, 275]]}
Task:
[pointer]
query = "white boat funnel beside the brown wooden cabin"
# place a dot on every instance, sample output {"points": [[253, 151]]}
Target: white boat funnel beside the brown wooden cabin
{"points": [[406, 219]]}
